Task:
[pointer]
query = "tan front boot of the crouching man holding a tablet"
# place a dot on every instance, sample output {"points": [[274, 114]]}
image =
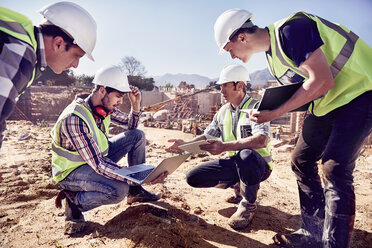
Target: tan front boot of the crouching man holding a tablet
{"points": [[243, 215]]}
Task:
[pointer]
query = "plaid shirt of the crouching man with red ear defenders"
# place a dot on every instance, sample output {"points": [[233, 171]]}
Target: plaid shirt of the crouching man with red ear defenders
{"points": [[75, 136]]}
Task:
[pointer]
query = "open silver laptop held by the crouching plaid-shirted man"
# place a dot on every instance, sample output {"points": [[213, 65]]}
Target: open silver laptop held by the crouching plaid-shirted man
{"points": [[143, 173]]}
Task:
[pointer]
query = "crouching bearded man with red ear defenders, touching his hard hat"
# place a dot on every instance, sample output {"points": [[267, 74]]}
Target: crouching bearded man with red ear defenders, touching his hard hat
{"points": [[84, 158]]}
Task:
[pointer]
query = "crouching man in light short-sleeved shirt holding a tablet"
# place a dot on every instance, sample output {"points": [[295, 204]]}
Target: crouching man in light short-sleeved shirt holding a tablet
{"points": [[246, 142]]}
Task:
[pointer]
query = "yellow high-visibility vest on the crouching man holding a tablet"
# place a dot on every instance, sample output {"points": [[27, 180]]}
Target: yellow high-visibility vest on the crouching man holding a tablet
{"points": [[224, 117]]}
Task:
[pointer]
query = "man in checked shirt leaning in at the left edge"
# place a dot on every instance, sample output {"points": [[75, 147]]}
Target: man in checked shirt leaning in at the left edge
{"points": [[67, 33]]}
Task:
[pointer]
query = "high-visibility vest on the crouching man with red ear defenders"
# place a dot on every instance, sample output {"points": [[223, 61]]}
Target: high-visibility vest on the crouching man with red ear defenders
{"points": [[65, 161]]}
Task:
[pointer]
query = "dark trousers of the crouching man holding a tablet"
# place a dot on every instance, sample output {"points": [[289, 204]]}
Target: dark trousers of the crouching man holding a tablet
{"points": [[247, 166]]}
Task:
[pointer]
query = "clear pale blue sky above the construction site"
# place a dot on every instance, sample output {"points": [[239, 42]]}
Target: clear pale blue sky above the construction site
{"points": [[170, 36]]}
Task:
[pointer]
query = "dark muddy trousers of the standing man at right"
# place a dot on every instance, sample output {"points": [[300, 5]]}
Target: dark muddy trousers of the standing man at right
{"points": [[336, 139]]}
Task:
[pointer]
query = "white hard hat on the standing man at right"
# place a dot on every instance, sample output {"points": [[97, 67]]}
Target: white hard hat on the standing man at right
{"points": [[227, 23]]}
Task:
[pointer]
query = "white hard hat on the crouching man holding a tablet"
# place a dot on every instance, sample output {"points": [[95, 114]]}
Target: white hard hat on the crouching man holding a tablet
{"points": [[233, 73]]}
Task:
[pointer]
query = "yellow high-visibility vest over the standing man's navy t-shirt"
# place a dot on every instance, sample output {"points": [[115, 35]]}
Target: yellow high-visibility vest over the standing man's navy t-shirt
{"points": [[348, 56]]}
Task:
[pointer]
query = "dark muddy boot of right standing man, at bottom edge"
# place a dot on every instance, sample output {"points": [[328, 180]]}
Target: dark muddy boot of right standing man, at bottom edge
{"points": [[298, 239]]}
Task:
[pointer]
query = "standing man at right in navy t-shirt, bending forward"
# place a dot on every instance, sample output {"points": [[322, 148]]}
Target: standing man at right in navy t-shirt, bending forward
{"points": [[334, 65]]}
